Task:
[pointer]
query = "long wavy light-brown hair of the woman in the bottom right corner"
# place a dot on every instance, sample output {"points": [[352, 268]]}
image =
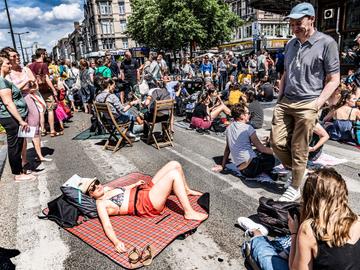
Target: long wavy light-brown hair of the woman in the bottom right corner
{"points": [[325, 204]]}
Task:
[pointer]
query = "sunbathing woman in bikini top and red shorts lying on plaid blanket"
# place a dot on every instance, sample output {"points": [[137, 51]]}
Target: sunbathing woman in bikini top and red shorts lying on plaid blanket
{"points": [[143, 200]]}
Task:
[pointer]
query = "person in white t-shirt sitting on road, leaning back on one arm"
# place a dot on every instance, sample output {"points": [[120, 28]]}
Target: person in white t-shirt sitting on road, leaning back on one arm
{"points": [[240, 138]]}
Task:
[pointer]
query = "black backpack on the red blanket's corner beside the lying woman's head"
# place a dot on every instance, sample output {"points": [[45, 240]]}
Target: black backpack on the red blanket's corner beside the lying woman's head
{"points": [[63, 213]]}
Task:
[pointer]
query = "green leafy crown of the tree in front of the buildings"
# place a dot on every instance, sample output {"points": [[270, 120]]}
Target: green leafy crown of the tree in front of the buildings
{"points": [[174, 24]]}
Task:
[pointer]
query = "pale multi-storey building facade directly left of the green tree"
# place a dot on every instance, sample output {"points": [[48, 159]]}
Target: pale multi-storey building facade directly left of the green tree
{"points": [[104, 27]]}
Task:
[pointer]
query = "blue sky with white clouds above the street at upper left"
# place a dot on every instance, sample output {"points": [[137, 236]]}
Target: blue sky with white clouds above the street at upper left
{"points": [[46, 20]]}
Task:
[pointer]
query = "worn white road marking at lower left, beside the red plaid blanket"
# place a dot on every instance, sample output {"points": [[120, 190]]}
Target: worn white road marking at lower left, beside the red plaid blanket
{"points": [[38, 240]]}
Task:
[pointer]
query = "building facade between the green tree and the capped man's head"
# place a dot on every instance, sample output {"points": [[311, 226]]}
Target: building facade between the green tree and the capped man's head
{"points": [[261, 29]]}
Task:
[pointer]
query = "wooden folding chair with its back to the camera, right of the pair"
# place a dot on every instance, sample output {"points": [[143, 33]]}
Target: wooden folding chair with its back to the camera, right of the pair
{"points": [[163, 113]]}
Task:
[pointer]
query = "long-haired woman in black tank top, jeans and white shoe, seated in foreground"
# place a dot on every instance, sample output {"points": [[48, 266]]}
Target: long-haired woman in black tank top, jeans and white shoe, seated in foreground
{"points": [[325, 234]]}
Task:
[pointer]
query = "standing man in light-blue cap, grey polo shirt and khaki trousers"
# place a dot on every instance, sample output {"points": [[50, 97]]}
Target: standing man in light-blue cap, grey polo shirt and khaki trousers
{"points": [[312, 73]]}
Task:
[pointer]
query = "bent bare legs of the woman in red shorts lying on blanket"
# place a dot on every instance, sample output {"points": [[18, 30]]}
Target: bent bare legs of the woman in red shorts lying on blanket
{"points": [[172, 180]]}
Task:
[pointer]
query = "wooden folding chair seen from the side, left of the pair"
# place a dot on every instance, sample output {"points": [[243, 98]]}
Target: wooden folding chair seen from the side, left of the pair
{"points": [[112, 126]]}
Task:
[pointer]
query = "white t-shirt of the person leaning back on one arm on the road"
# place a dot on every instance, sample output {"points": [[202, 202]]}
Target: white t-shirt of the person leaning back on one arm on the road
{"points": [[238, 138]]}
